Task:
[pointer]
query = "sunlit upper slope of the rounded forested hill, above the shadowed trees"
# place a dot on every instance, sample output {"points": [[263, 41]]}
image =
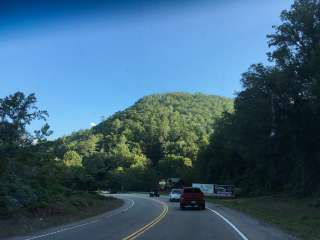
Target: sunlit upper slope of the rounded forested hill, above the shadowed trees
{"points": [[164, 124]]}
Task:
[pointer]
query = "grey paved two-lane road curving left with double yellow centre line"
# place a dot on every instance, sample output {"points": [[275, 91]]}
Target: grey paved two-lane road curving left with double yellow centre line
{"points": [[145, 218]]}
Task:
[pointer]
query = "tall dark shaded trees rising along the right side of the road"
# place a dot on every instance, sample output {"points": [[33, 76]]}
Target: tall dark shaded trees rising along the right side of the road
{"points": [[271, 141]]}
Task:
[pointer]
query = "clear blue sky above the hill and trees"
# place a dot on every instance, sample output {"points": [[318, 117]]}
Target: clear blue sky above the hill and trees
{"points": [[91, 63]]}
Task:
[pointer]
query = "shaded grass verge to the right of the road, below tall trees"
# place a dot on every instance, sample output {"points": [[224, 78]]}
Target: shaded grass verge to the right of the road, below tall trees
{"points": [[300, 217]]}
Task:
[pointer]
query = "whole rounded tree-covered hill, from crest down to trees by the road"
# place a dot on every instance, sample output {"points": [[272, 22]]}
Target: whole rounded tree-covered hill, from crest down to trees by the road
{"points": [[159, 136]]}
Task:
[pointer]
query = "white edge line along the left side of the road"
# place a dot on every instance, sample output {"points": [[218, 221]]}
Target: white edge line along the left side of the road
{"points": [[83, 224]]}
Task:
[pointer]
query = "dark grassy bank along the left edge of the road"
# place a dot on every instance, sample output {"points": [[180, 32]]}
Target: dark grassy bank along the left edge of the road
{"points": [[79, 206]]}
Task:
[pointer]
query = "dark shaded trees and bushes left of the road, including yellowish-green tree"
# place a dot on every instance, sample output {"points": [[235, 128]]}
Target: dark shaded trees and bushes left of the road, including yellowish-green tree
{"points": [[32, 178]]}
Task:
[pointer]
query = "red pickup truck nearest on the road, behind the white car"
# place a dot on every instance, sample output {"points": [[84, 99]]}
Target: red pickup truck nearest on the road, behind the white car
{"points": [[192, 197]]}
